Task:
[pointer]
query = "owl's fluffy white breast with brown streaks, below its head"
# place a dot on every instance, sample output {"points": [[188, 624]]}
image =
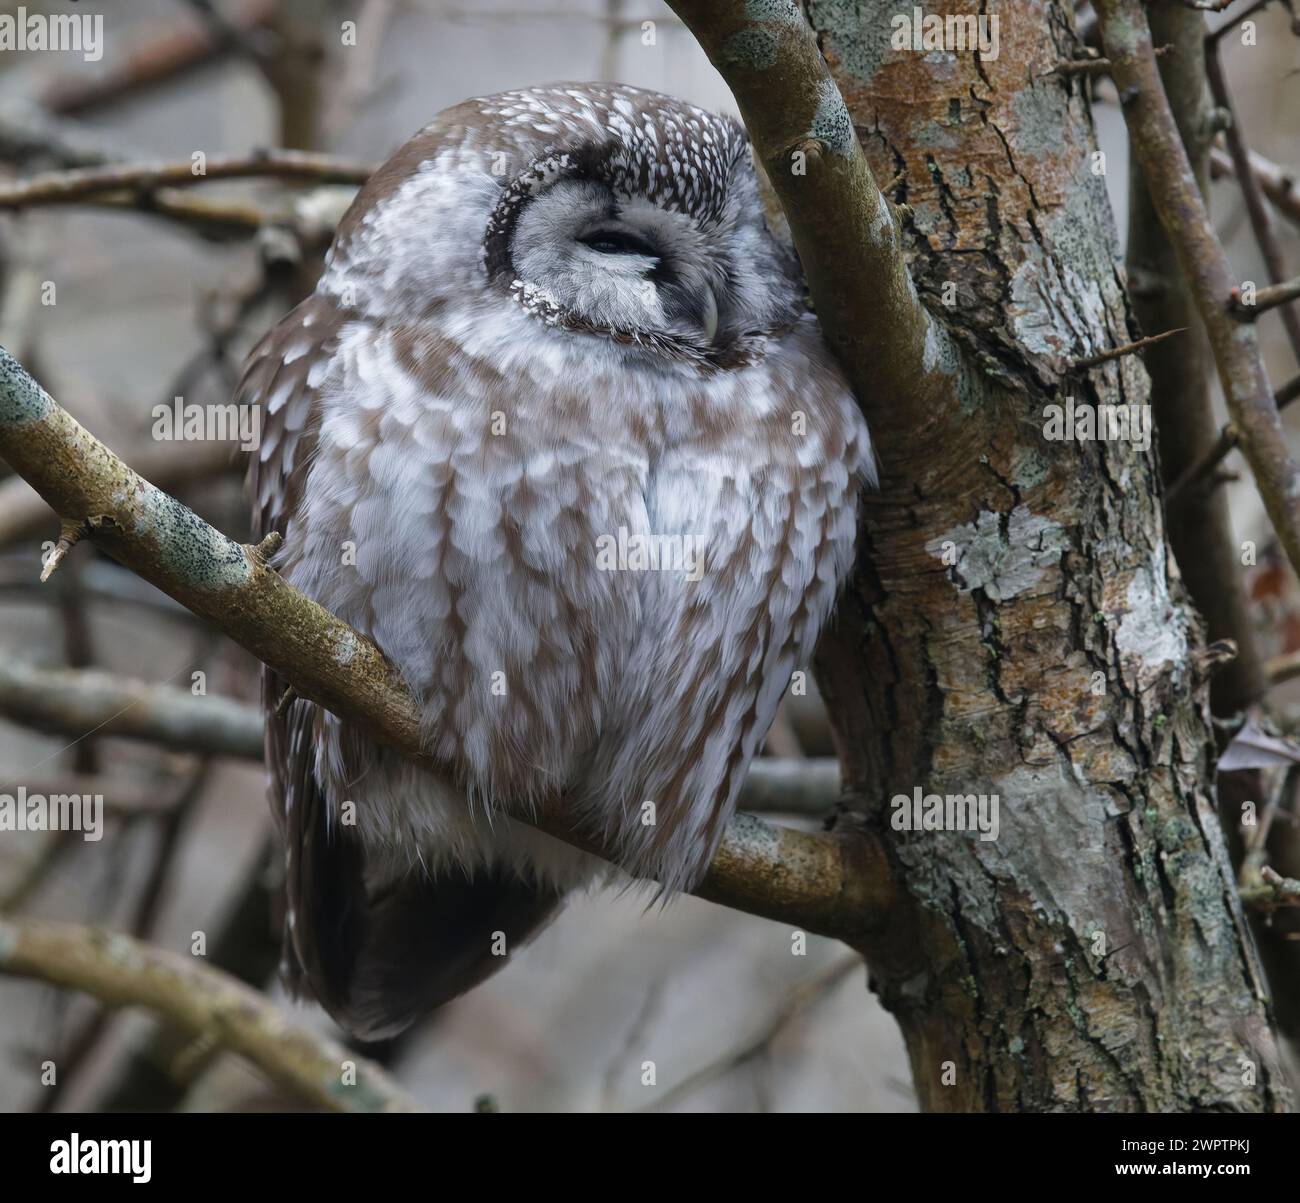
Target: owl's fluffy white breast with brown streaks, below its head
{"points": [[597, 590]]}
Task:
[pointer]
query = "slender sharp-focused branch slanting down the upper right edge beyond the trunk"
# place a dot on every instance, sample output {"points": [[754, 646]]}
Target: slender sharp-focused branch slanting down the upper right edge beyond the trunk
{"points": [[1159, 149]]}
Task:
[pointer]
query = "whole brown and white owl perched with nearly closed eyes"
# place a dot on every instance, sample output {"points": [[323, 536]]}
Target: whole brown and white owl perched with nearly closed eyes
{"points": [[558, 434]]}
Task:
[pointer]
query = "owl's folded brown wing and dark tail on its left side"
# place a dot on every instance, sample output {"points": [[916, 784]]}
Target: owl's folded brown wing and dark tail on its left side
{"points": [[375, 957]]}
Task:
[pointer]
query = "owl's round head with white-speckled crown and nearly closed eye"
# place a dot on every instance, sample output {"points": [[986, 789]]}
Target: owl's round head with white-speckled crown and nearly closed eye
{"points": [[596, 210]]}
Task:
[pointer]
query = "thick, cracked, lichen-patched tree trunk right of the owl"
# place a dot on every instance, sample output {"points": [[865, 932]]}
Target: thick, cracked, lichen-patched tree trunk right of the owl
{"points": [[1095, 955]]}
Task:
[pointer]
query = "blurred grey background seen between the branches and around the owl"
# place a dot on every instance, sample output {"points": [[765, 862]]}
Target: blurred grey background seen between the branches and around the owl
{"points": [[120, 310]]}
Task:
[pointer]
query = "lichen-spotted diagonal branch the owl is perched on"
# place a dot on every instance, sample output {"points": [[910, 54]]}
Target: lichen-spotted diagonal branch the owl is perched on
{"points": [[835, 885]]}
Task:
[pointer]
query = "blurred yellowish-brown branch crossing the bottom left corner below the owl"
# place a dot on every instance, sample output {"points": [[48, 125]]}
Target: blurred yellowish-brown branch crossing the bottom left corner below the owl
{"points": [[207, 1003]]}
